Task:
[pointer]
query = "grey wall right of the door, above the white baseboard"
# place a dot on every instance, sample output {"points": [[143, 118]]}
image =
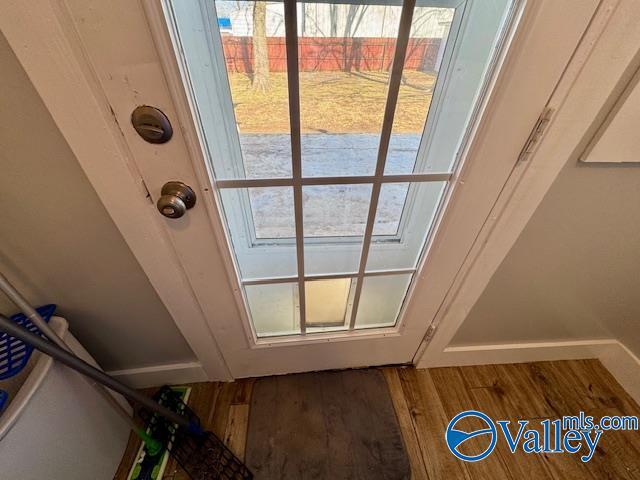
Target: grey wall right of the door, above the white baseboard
{"points": [[574, 273]]}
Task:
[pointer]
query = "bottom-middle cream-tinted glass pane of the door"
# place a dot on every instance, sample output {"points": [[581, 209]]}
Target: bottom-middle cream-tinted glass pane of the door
{"points": [[326, 301]]}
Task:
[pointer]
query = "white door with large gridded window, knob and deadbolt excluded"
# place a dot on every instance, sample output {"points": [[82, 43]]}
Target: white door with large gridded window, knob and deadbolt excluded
{"points": [[344, 154]]}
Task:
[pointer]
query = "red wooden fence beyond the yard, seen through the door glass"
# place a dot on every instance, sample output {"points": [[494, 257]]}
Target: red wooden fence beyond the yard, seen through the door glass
{"points": [[332, 54]]}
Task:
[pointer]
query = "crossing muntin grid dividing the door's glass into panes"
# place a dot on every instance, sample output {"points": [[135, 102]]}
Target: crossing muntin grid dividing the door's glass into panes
{"points": [[297, 181]]}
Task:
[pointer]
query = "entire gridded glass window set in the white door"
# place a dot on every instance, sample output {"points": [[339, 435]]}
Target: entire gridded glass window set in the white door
{"points": [[333, 130]]}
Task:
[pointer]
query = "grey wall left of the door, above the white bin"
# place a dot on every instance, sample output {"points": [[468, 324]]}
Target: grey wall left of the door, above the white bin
{"points": [[58, 244]]}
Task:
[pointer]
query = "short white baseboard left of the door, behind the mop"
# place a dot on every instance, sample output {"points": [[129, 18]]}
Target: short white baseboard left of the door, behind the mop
{"points": [[156, 375]]}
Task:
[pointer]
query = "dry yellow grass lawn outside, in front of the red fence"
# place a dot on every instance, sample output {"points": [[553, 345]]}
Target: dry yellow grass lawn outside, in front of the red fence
{"points": [[332, 102]]}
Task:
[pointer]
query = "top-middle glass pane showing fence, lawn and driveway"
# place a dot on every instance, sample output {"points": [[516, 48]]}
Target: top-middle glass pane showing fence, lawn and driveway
{"points": [[345, 52]]}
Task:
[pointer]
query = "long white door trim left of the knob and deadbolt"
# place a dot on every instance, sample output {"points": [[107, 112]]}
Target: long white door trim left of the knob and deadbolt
{"points": [[45, 40]]}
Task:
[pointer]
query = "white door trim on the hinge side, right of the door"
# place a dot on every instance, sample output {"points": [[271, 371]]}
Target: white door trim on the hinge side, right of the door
{"points": [[603, 63]]}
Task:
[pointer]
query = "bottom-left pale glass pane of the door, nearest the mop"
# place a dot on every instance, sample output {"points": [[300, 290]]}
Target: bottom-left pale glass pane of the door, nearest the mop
{"points": [[274, 308]]}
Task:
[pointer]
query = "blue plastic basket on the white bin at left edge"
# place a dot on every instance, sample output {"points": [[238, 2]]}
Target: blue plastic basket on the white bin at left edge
{"points": [[14, 353]]}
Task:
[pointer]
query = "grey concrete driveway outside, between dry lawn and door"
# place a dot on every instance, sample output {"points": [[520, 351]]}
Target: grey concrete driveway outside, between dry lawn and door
{"points": [[331, 210]]}
